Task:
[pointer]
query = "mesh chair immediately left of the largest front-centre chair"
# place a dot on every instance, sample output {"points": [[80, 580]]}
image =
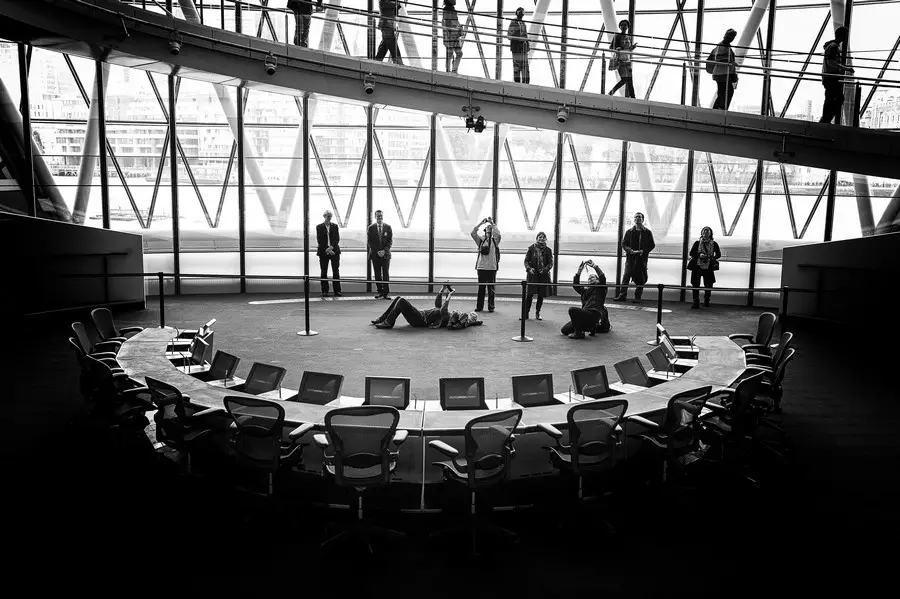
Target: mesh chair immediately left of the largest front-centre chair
{"points": [[258, 439]]}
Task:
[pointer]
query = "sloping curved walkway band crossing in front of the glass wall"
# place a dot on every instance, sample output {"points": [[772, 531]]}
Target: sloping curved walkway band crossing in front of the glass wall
{"points": [[97, 29]]}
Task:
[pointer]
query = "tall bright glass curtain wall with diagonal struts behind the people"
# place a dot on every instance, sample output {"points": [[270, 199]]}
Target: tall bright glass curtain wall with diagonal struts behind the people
{"points": [[362, 158]]}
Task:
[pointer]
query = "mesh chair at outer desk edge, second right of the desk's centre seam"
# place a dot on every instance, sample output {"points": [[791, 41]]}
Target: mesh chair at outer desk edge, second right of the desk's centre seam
{"points": [[593, 439]]}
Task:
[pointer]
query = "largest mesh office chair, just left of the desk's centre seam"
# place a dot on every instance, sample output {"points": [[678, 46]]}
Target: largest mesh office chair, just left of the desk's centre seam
{"points": [[360, 457]]}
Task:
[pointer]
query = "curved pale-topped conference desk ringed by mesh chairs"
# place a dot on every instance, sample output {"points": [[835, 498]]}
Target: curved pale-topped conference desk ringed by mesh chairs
{"points": [[720, 363]]}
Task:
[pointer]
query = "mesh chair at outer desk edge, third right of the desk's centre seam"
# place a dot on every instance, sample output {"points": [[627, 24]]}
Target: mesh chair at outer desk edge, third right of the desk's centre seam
{"points": [[679, 433]]}
